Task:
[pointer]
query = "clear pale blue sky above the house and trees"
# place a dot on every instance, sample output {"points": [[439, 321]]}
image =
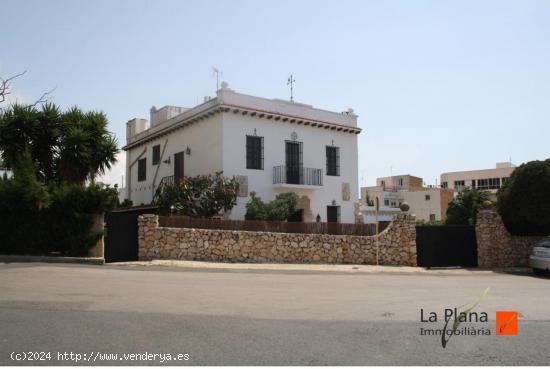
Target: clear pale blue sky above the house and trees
{"points": [[439, 86]]}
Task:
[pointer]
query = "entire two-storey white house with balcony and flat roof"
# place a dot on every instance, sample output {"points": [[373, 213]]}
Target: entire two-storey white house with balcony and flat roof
{"points": [[270, 146]]}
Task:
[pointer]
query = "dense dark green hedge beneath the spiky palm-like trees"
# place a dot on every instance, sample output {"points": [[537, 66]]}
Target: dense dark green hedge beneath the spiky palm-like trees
{"points": [[64, 226]]}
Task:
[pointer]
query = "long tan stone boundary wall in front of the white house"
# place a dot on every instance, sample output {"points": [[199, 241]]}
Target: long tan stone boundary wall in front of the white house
{"points": [[396, 245]]}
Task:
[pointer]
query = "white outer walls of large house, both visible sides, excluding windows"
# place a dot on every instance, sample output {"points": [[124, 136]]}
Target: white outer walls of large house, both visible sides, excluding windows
{"points": [[217, 140]]}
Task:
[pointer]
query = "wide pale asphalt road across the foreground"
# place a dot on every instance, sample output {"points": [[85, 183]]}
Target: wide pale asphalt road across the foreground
{"points": [[261, 317]]}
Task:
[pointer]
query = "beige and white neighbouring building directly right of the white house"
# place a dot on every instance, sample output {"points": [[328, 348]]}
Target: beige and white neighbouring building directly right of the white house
{"points": [[427, 203]]}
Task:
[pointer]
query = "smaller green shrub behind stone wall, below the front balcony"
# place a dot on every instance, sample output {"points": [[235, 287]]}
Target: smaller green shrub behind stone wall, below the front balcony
{"points": [[280, 209]]}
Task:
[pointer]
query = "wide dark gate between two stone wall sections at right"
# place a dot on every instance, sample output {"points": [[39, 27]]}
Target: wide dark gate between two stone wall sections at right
{"points": [[444, 246]]}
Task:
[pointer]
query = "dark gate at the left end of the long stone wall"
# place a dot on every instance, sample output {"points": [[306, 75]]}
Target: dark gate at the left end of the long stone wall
{"points": [[121, 238]]}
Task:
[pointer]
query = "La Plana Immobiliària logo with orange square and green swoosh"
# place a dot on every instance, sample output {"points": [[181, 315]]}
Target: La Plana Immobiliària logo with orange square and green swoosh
{"points": [[453, 319]]}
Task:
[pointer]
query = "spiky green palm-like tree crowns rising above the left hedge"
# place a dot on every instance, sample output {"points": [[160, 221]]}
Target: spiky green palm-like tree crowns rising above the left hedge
{"points": [[65, 147]]}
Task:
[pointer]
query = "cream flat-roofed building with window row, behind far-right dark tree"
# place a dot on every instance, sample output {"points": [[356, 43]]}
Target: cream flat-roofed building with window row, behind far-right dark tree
{"points": [[483, 179]]}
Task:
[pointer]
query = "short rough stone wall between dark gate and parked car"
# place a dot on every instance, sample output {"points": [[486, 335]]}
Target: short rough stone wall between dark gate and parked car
{"points": [[496, 247]]}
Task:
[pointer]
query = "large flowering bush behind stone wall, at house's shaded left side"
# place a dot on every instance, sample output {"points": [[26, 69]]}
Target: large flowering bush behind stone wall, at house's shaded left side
{"points": [[200, 196]]}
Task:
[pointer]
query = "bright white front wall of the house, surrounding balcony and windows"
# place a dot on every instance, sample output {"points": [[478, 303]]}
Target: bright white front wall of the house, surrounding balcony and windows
{"points": [[314, 141]]}
